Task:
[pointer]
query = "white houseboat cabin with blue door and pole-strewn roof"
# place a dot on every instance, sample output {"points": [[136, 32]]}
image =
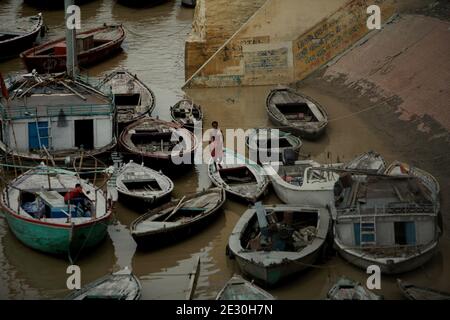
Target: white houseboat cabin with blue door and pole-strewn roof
{"points": [[55, 115]]}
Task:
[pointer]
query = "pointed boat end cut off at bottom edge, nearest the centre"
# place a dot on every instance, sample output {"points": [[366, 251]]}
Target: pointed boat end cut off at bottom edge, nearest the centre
{"points": [[237, 288]]}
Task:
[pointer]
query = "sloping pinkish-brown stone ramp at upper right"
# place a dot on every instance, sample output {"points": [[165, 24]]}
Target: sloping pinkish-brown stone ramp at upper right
{"points": [[408, 60]]}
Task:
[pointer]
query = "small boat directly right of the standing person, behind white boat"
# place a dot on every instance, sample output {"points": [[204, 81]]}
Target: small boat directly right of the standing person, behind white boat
{"points": [[270, 144]]}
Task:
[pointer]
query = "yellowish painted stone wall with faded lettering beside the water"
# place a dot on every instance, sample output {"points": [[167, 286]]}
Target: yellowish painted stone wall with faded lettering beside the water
{"points": [[280, 45]]}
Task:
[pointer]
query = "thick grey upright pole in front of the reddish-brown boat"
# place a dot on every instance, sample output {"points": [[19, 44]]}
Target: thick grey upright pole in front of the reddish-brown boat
{"points": [[71, 44]]}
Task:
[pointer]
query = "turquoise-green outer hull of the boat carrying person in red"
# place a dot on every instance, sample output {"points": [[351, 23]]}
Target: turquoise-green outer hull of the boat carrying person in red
{"points": [[57, 240]]}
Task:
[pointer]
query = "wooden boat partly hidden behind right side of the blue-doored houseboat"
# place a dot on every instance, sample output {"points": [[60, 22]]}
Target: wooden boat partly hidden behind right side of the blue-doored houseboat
{"points": [[133, 99]]}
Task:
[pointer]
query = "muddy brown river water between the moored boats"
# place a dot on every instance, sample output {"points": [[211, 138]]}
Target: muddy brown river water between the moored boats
{"points": [[154, 50]]}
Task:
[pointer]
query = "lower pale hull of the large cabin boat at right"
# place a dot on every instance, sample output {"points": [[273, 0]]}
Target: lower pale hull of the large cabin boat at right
{"points": [[405, 265]]}
